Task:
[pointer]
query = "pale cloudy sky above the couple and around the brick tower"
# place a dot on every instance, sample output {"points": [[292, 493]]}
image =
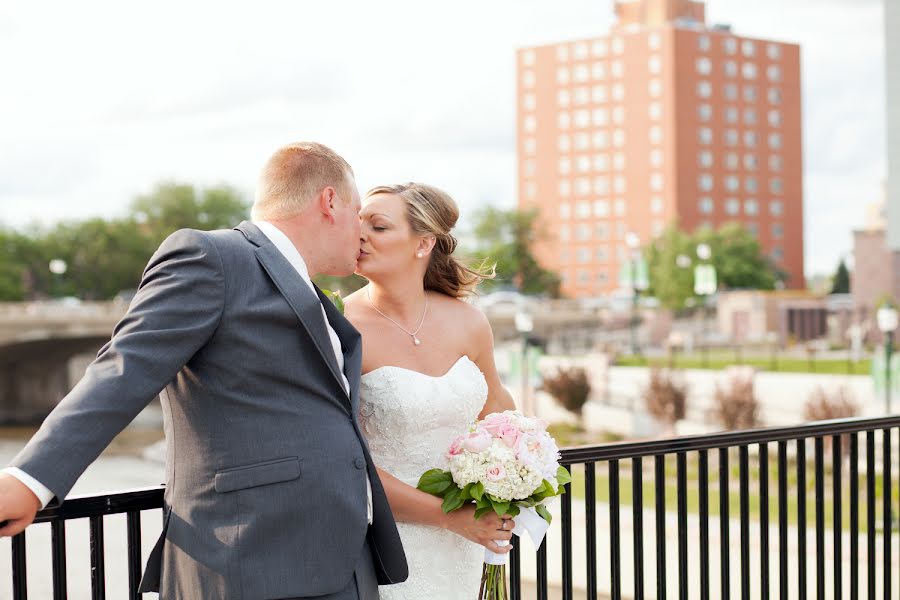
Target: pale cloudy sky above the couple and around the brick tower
{"points": [[100, 100]]}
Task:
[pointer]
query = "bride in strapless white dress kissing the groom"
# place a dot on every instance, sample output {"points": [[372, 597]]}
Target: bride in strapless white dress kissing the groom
{"points": [[428, 373]]}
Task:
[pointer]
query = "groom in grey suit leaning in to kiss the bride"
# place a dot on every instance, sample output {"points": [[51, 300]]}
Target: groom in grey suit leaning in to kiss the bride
{"points": [[270, 489]]}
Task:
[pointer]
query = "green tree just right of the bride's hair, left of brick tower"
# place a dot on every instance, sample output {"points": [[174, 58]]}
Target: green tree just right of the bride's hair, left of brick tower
{"points": [[507, 238]]}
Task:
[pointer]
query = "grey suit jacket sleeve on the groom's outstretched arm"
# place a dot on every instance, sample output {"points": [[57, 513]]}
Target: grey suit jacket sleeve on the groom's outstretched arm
{"points": [[175, 312]]}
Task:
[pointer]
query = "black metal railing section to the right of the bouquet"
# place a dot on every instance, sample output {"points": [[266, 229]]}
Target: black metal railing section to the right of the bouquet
{"points": [[693, 561]]}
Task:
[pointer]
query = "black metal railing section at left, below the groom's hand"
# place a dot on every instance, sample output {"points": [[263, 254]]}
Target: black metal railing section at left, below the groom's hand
{"points": [[94, 508]]}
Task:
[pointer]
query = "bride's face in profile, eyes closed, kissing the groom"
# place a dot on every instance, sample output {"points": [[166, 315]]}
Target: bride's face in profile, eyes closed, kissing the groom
{"points": [[387, 243]]}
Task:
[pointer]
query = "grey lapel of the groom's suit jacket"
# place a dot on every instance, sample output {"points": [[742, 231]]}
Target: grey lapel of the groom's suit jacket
{"points": [[299, 297]]}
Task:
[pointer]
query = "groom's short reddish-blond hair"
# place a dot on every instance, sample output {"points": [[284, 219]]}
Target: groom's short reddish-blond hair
{"points": [[295, 175]]}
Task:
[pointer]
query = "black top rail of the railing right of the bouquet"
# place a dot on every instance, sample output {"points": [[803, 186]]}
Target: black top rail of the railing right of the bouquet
{"points": [[727, 439]]}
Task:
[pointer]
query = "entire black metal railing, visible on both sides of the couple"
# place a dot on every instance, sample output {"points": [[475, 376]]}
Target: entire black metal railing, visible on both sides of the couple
{"points": [[766, 480]]}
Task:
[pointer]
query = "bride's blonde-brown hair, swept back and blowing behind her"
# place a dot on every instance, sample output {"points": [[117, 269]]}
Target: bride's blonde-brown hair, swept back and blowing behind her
{"points": [[431, 211]]}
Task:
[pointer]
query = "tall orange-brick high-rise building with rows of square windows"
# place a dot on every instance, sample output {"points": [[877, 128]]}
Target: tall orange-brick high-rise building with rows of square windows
{"points": [[663, 119]]}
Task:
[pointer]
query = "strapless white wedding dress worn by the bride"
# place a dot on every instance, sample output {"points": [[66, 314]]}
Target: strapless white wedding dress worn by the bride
{"points": [[410, 419]]}
